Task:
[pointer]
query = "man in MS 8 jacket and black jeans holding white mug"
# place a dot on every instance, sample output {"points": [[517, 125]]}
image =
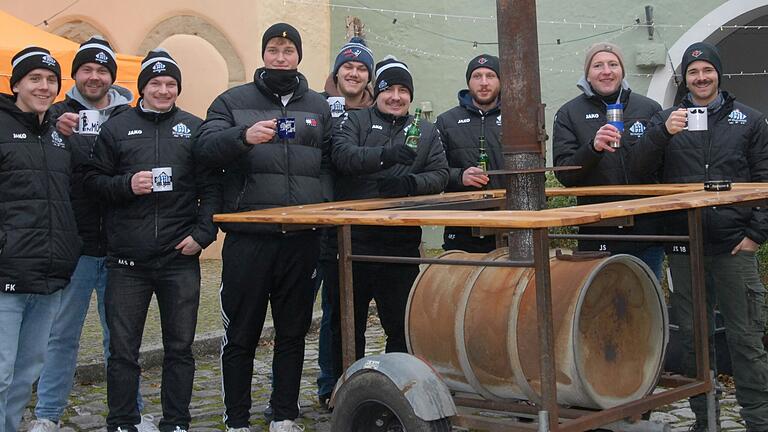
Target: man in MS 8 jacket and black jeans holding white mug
{"points": [[160, 204]]}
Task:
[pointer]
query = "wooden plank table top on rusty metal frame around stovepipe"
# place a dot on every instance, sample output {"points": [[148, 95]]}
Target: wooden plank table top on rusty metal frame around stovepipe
{"points": [[441, 210]]}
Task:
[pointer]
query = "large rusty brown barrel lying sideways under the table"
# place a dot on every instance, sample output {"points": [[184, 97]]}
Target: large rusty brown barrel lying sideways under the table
{"points": [[477, 327]]}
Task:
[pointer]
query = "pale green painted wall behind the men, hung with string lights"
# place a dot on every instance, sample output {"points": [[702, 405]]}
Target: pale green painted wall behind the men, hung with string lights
{"points": [[437, 49]]}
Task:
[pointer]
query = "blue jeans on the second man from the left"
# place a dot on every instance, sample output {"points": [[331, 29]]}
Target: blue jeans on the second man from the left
{"points": [[64, 342]]}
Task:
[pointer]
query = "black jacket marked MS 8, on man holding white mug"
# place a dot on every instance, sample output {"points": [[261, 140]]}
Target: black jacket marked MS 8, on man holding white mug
{"points": [[144, 230]]}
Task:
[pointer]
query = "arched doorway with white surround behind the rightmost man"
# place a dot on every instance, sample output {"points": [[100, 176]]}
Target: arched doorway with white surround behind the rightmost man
{"points": [[739, 48]]}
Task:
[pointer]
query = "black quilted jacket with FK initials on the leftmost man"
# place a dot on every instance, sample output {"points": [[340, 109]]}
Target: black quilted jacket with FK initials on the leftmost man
{"points": [[39, 245]]}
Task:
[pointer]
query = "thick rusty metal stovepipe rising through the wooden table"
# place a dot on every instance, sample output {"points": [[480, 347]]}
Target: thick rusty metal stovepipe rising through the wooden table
{"points": [[524, 136]]}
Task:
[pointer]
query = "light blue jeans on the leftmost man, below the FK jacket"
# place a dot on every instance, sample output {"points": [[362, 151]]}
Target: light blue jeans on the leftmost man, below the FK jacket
{"points": [[25, 320]]}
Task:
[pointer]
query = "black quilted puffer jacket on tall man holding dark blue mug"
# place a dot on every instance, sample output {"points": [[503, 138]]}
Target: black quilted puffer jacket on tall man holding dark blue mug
{"points": [[279, 173]]}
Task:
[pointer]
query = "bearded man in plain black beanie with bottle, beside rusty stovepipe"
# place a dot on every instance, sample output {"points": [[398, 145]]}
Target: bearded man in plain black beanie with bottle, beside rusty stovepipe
{"points": [[461, 128]]}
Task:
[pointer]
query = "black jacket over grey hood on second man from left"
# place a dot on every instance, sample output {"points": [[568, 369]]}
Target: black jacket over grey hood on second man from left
{"points": [[89, 212]]}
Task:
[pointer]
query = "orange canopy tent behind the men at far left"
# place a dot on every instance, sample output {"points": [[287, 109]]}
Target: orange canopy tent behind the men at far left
{"points": [[16, 34]]}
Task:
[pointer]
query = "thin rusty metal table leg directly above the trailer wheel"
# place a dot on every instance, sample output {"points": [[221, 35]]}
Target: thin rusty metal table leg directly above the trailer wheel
{"points": [[346, 302]]}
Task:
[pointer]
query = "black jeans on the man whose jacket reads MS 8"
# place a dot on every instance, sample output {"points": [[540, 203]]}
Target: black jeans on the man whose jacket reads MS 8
{"points": [[129, 292]]}
